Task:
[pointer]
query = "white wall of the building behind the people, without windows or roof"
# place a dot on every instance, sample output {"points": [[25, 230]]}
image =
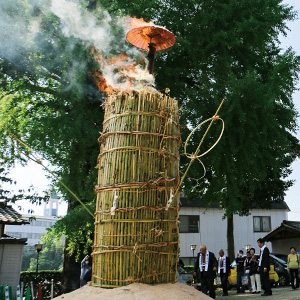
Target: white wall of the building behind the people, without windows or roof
{"points": [[213, 230]]}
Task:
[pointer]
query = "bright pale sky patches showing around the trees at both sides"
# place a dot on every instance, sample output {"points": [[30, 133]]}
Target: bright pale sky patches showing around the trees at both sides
{"points": [[34, 174]]}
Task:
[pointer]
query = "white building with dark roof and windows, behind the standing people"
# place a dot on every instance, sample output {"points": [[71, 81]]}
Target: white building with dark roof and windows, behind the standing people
{"points": [[205, 226]]}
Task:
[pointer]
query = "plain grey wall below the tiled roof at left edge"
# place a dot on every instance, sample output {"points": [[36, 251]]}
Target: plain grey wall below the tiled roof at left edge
{"points": [[10, 264]]}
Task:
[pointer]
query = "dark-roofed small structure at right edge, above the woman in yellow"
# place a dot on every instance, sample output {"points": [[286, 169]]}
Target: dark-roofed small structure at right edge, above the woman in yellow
{"points": [[284, 236]]}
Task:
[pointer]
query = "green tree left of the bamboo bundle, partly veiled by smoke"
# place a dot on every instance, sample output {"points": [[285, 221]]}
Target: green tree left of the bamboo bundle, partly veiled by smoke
{"points": [[49, 100]]}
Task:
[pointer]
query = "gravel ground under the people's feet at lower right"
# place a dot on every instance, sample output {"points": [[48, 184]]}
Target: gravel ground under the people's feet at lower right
{"points": [[279, 293]]}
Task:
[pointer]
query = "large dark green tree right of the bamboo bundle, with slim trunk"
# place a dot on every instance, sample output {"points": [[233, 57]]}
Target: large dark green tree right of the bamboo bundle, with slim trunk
{"points": [[230, 50]]}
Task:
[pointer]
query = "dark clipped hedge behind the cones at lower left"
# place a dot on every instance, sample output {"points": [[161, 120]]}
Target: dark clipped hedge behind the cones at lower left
{"points": [[44, 278]]}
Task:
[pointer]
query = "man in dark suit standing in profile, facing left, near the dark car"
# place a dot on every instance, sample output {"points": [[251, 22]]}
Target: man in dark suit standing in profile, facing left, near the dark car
{"points": [[264, 267]]}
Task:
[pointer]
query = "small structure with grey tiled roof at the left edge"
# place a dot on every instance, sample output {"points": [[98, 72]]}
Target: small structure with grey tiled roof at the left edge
{"points": [[11, 249]]}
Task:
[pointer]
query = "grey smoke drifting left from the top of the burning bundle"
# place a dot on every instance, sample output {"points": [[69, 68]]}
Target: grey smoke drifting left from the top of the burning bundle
{"points": [[24, 34]]}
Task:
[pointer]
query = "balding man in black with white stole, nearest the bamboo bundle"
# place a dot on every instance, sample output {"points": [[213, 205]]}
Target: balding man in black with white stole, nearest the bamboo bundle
{"points": [[207, 263]]}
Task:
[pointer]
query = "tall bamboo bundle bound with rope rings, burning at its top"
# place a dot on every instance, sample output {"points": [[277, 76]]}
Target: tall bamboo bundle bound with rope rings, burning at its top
{"points": [[136, 230]]}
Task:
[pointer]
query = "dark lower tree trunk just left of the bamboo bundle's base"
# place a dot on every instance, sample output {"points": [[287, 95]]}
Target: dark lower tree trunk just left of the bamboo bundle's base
{"points": [[71, 272]]}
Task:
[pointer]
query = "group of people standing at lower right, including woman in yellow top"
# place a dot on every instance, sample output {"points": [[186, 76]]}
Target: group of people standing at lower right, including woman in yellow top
{"points": [[252, 270]]}
